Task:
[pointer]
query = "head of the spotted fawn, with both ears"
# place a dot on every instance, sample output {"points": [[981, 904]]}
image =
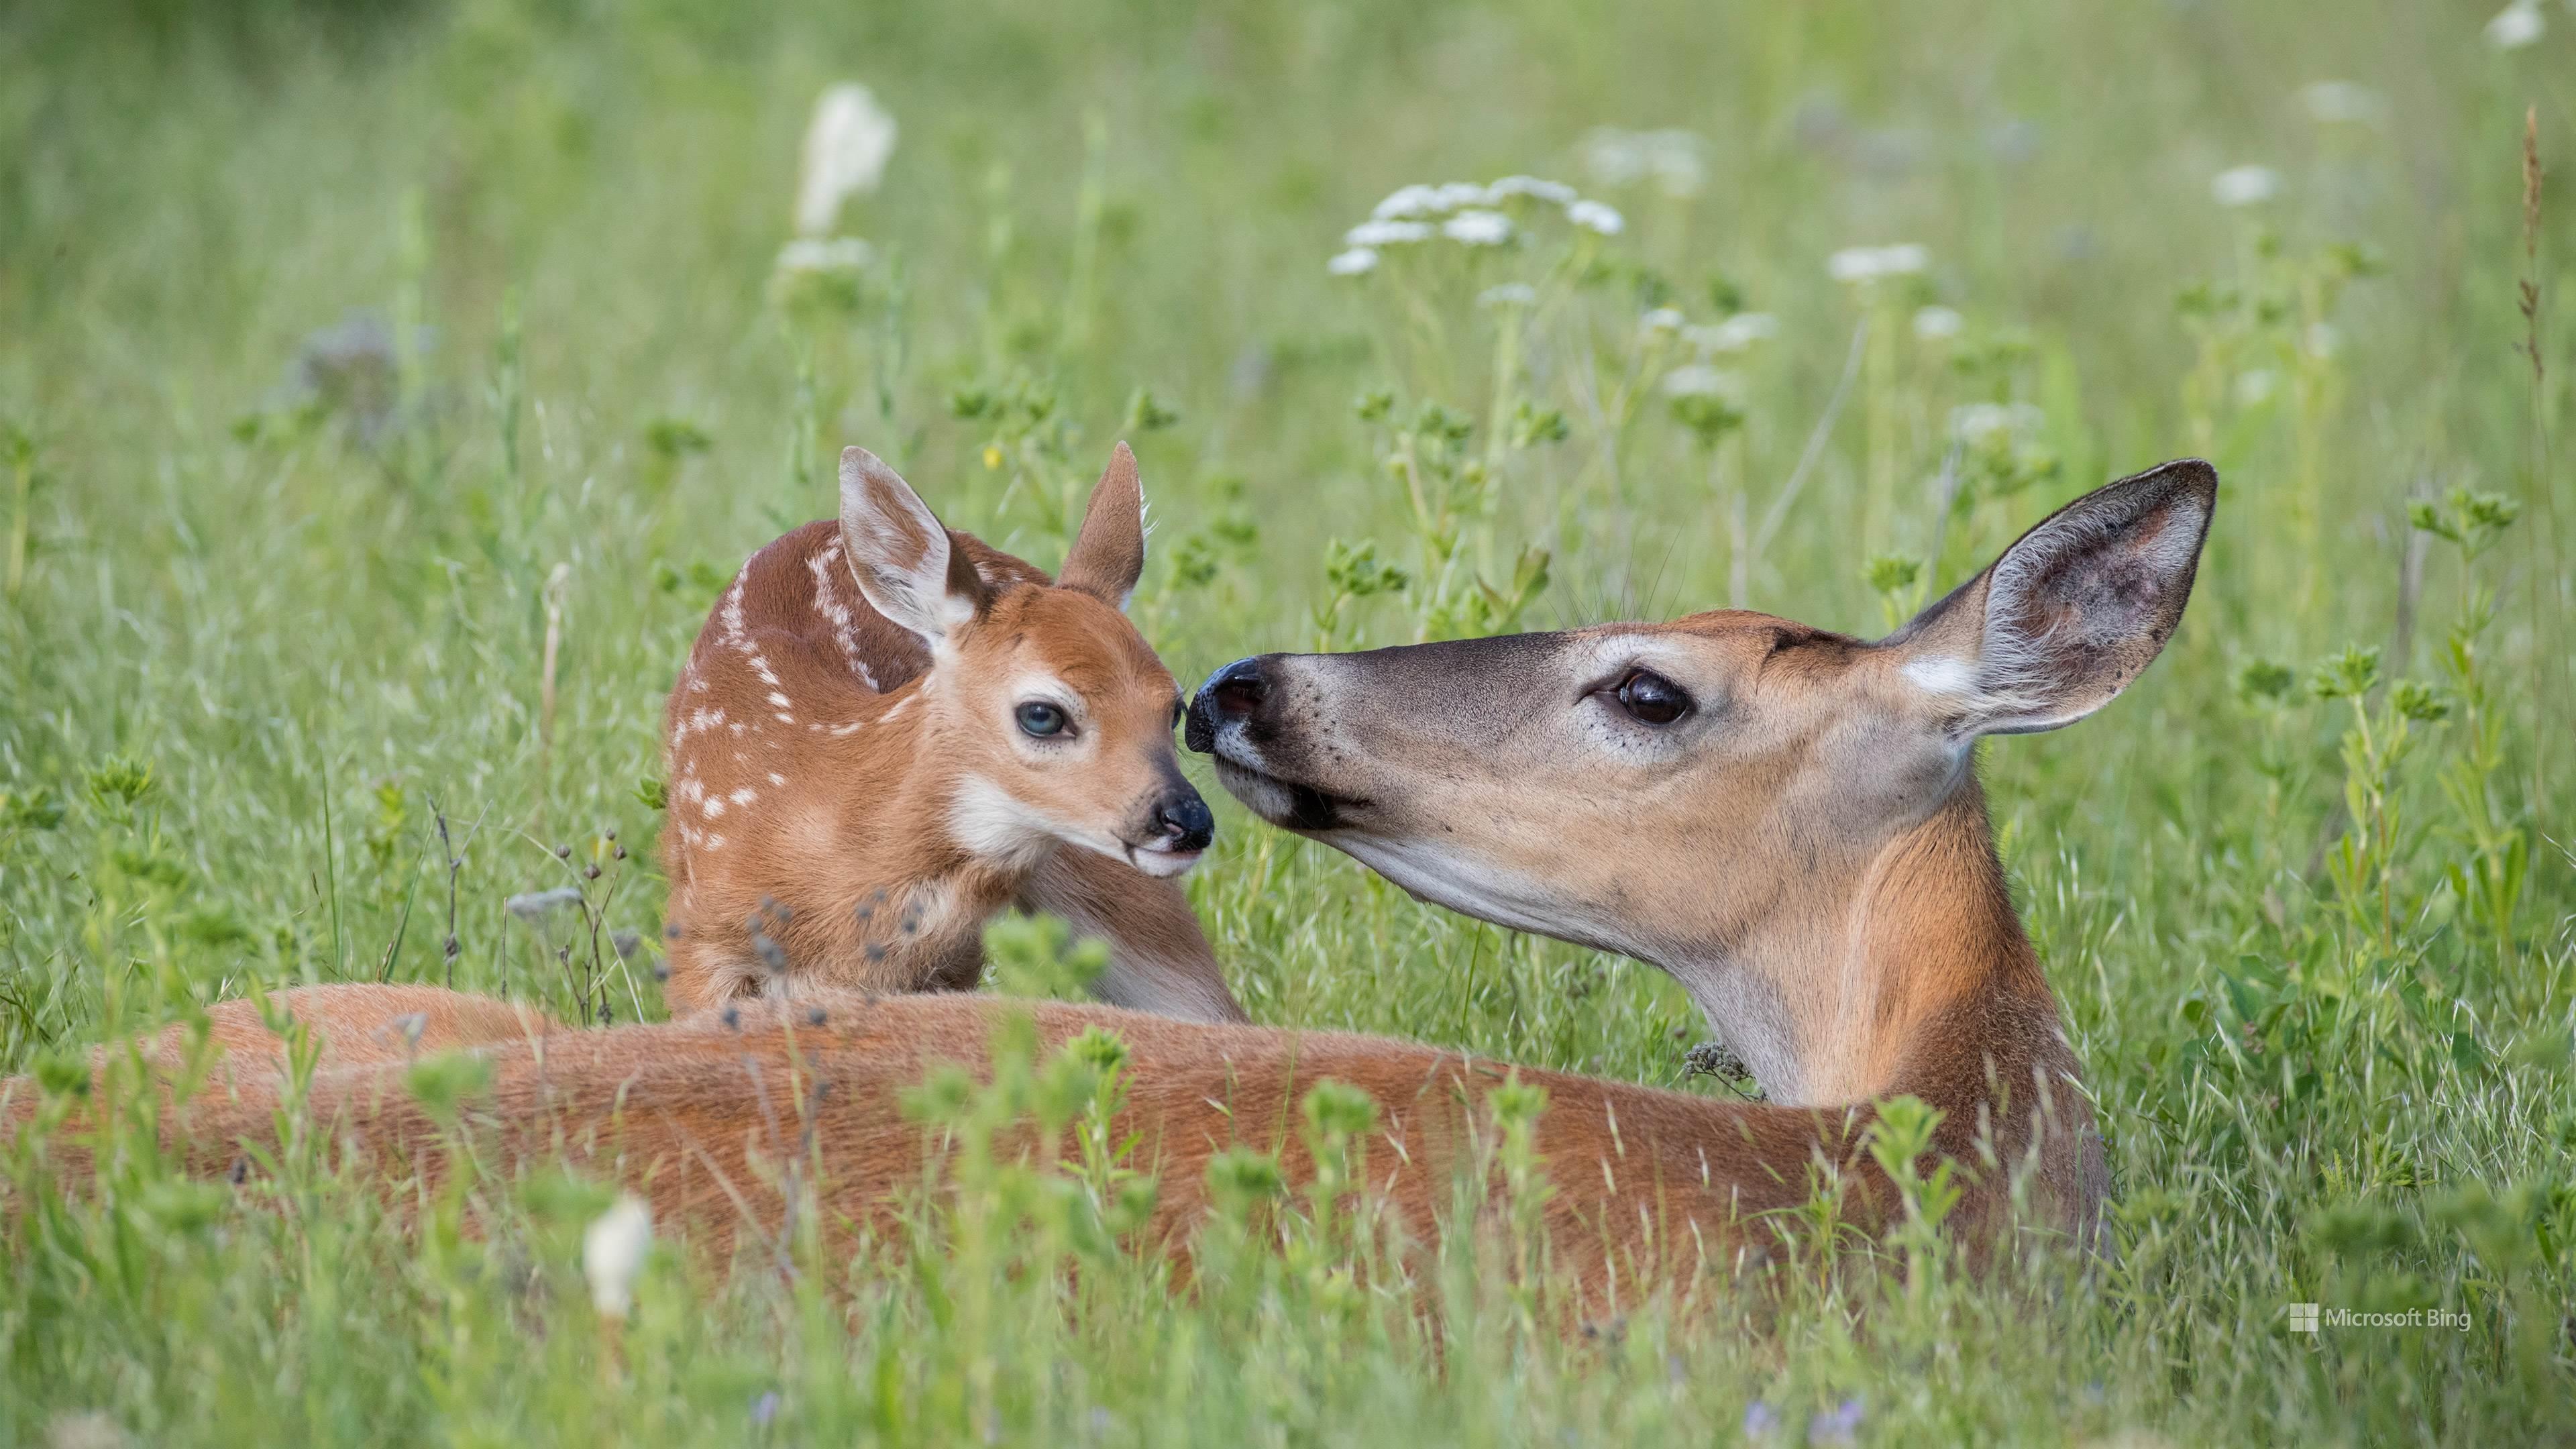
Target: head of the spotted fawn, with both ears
{"points": [[1042, 700]]}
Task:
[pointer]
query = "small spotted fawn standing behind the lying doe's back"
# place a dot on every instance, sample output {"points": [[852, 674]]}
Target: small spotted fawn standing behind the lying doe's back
{"points": [[893, 731]]}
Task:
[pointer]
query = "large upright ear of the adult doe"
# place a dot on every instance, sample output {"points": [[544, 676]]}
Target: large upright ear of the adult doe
{"points": [[2072, 612]]}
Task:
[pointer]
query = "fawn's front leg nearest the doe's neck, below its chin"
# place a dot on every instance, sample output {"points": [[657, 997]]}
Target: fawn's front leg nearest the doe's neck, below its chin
{"points": [[1160, 958]]}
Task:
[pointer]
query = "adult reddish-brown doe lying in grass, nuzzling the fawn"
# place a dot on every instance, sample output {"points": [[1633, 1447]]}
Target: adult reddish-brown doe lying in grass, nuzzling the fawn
{"points": [[1784, 819]]}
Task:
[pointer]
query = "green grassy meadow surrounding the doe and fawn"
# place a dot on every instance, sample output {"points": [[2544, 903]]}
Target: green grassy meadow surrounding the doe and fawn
{"points": [[2333, 1048]]}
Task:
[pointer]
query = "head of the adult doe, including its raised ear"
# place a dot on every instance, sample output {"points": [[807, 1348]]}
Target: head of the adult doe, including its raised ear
{"points": [[1665, 790]]}
